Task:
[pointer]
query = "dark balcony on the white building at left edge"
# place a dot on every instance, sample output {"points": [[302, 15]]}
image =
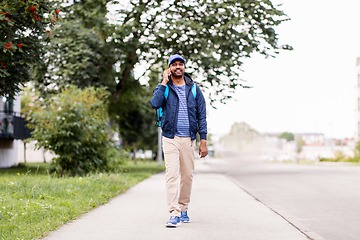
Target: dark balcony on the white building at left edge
{"points": [[13, 126]]}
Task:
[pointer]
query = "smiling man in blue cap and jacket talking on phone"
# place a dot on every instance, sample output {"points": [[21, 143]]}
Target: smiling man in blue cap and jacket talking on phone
{"points": [[184, 114]]}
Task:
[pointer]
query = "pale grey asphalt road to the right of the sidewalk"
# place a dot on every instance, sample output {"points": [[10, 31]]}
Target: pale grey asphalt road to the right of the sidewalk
{"points": [[321, 201]]}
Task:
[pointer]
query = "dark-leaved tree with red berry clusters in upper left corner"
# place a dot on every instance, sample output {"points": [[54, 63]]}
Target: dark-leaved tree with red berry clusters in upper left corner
{"points": [[24, 28]]}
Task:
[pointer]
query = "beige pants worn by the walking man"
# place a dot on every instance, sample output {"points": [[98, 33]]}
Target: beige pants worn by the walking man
{"points": [[179, 162]]}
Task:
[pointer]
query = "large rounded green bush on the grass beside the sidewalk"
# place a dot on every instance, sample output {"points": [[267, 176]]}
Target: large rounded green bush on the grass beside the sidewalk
{"points": [[74, 125]]}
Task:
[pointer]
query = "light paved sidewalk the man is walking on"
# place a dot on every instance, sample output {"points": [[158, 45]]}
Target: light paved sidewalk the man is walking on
{"points": [[219, 209]]}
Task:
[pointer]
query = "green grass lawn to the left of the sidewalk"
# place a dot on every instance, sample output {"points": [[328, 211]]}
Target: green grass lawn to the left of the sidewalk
{"points": [[32, 202]]}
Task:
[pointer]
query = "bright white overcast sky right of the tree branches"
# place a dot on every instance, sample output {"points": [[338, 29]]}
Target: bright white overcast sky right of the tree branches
{"points": [[310, 89]]}
